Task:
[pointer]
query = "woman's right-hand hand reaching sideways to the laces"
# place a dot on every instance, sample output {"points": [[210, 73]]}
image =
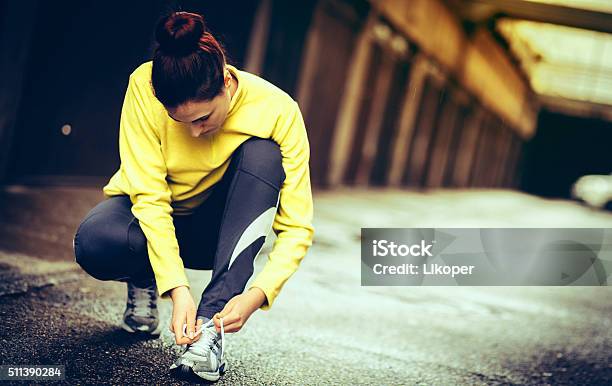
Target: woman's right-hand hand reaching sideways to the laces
{"points": [[238, 310]]}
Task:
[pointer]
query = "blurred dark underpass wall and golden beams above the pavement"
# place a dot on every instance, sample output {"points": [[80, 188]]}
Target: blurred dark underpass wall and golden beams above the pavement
{"points": [[419, 94]]}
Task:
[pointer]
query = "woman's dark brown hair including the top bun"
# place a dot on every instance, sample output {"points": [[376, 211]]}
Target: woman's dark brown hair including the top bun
{"points": [[188, 61]]}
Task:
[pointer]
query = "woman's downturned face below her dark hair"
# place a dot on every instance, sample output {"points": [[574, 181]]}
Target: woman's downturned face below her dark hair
{"points": [[205, 117]]}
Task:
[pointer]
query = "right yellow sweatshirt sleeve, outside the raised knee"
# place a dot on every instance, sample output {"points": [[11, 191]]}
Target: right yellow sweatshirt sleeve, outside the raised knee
{"points": [[293, 221]]}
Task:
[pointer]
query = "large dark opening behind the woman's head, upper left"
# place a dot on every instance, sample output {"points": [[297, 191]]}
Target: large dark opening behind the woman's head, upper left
{"points": [[81, 56]]}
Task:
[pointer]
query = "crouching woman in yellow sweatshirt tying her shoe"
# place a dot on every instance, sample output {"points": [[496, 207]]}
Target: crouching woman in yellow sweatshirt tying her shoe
{"points": [[211, 158]]}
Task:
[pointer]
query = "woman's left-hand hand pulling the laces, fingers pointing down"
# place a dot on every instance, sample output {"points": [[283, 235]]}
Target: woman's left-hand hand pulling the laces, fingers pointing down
{"points": [[183, 312]]}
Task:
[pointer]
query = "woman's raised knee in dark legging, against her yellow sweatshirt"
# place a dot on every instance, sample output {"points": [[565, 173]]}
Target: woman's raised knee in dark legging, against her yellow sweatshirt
{"points": [[262, 158]]}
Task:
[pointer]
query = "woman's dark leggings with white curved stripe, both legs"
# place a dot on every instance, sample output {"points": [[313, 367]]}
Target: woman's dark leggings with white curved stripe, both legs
{"points": [[109, 244]]}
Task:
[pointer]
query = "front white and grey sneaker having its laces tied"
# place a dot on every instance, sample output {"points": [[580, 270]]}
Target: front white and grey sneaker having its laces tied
{"points": [[203, 358]]}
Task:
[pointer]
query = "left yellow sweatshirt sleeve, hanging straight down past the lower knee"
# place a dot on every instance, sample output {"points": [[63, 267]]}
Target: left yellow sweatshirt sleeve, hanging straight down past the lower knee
{"points": [[144, 170]]}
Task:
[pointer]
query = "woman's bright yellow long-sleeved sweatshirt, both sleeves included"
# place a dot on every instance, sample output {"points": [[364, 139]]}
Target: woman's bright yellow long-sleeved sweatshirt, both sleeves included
{"points": [[165, 170]]}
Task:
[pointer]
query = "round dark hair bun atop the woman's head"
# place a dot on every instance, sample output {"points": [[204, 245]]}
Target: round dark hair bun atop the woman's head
{"points": [[179, 33]]}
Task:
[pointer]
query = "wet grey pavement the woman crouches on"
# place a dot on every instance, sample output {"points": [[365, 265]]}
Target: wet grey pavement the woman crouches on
{"points": [[324, 328]]}
